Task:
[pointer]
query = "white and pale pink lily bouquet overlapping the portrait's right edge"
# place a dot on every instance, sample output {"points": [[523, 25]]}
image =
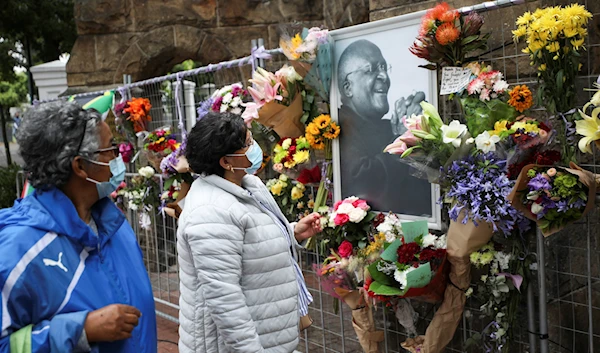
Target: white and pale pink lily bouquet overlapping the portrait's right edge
{"points": [[429, 143]]}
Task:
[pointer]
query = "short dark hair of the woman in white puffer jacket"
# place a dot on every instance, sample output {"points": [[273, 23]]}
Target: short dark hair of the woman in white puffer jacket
{"points": [[214, 136]]}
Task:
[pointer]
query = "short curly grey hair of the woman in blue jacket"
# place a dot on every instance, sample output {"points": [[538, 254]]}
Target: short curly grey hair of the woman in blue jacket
{"points": [[50, 136]]}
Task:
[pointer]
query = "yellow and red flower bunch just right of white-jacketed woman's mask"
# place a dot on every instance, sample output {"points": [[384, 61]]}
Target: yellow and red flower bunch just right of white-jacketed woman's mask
{"points": [[289, 153]]}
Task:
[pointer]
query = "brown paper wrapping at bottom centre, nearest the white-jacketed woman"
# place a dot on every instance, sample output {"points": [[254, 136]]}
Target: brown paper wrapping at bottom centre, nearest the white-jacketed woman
{"points": [[362, 320]]}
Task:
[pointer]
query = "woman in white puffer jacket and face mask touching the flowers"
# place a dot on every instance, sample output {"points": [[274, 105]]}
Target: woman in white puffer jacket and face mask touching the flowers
{"points": [[241, 287]]}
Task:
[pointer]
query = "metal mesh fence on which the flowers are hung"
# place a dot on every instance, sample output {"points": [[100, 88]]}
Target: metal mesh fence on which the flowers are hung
{"points": [[571, 264]]}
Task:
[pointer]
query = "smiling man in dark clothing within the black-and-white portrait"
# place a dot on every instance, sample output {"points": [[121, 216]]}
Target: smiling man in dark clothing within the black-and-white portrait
{"points": [[366, 115]]}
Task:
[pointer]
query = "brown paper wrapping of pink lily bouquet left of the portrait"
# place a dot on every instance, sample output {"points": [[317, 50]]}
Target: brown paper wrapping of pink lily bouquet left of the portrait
{"points": [[284, 120]]}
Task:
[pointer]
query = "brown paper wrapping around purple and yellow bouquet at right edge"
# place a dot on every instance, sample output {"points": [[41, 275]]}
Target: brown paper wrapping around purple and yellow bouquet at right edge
{"points": [[587, 178]]}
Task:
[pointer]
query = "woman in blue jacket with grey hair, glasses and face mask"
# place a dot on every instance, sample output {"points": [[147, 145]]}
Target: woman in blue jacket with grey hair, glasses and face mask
{"points": [[71, 272]]}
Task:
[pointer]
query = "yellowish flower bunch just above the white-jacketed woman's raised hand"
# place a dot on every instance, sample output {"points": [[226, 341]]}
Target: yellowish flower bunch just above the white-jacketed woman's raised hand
{"points": [[291, 196]]}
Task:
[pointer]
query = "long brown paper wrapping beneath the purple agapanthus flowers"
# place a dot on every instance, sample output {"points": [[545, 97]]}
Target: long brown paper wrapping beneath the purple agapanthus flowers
{"points": [[463, 239]]}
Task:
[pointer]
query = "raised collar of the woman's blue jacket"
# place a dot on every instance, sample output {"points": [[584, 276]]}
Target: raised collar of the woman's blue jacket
{"points": [[60, 208]]}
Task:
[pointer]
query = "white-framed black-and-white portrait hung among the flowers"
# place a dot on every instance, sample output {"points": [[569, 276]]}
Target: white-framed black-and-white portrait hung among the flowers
{"points": [[376, 81]]}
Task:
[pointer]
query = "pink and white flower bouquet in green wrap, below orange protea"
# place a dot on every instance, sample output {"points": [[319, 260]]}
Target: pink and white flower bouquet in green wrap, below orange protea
{"points": [[484, 100]]}
